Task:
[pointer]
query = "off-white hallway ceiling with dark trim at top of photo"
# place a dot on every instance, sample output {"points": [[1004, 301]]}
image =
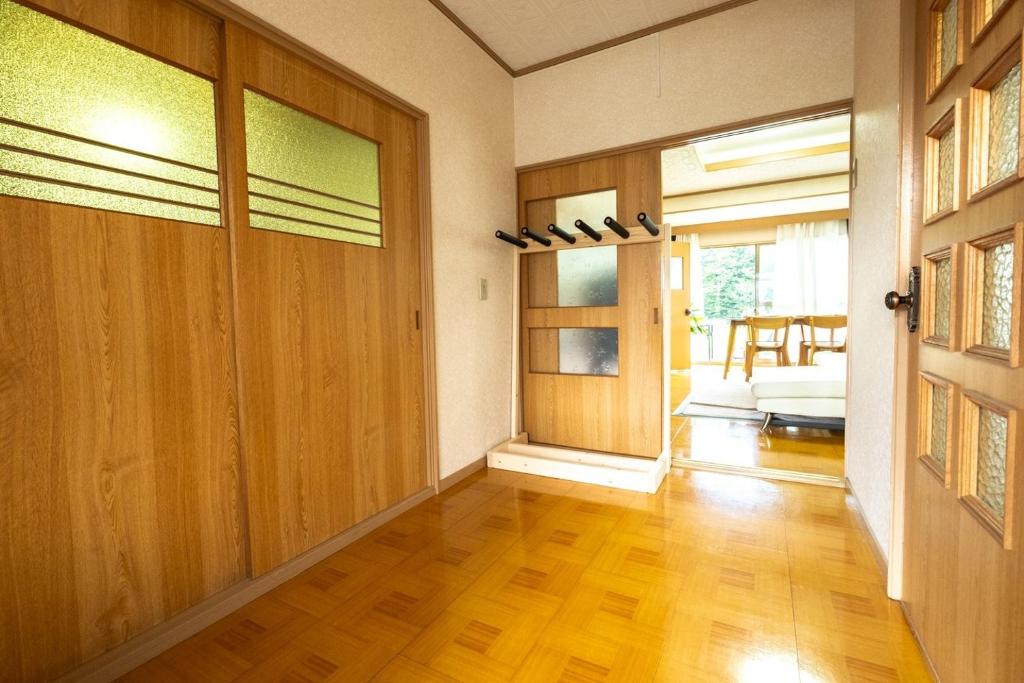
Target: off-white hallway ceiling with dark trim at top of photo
{"points": [[527, 32]]}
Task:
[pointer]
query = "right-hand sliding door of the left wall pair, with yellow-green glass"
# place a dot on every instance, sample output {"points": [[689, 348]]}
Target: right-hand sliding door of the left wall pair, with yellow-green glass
{"points": [[328, 272]]}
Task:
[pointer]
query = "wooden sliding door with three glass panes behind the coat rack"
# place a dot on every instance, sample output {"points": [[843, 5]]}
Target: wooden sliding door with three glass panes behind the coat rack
{"points": [[592, 316]]}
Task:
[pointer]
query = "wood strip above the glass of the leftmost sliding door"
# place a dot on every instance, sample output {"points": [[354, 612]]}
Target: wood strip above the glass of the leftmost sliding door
{"points": [[166, 29]]}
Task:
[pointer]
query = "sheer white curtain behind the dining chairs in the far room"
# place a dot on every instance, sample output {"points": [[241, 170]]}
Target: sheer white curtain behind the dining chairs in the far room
{"points": [[812, 269]]}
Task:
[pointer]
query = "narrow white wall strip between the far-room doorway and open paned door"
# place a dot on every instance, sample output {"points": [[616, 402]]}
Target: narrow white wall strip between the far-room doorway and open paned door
{"points": [[874, 255]]}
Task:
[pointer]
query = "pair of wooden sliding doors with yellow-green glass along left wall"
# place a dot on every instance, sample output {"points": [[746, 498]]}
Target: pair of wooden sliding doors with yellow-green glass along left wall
{"points": [[211, 330]]}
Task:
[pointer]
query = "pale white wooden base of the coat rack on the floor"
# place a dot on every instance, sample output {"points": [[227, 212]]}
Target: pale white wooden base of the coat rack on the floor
{"points": [[604, 469]]}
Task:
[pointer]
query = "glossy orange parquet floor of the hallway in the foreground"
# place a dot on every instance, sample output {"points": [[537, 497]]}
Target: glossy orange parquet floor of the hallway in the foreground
{"points": [[510, 577]]}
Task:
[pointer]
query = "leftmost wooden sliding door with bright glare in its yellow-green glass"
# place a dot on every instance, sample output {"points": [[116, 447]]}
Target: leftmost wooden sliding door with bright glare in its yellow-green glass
{"points": [[120, 477]]}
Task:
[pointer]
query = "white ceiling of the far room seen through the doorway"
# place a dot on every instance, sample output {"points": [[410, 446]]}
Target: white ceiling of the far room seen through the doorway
{"points": [[684, 170]]}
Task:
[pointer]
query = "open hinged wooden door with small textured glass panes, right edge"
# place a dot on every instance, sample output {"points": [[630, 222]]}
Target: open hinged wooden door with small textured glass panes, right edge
{"points": [[964, 576]]}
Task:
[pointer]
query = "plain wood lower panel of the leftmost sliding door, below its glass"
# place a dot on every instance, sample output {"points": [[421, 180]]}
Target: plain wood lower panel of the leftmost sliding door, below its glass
{"points": [[120, 473]]}
